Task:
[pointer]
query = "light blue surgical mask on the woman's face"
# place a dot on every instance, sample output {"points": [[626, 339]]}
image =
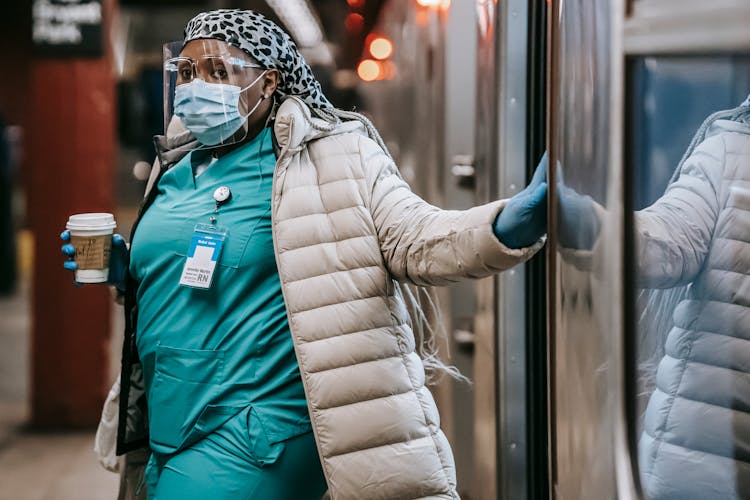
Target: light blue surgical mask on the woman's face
{"points": [[211, 110]]}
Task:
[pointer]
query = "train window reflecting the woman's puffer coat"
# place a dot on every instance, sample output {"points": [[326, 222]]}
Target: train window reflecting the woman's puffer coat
{"points": [[689, 154]]}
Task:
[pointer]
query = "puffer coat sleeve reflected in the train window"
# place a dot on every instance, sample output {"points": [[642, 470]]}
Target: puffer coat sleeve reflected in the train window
{"points": [[674, 234]]}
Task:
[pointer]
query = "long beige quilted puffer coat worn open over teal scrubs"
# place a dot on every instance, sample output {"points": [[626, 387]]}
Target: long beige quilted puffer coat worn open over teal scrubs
{"points": [[345, 226]]}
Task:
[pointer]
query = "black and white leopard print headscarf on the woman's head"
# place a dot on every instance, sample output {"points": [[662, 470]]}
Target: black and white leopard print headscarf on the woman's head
{"points": [[270, 46]]}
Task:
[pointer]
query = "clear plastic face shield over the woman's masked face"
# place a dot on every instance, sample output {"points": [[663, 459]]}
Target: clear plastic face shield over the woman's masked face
{"points": [[210, 88]]}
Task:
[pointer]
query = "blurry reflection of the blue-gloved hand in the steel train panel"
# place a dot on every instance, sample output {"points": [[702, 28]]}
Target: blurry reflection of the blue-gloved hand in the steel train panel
{"points": [[578, 219]]}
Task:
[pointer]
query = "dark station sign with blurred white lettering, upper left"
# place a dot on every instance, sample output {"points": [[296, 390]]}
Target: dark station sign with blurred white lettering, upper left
{"points": [[67, 28]]}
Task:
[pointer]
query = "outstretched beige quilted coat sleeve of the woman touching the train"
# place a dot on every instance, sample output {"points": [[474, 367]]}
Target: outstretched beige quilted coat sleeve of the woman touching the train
{"points": [[424, 244]]}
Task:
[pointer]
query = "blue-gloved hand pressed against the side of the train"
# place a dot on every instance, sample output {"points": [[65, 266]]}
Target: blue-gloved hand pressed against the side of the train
{"points": [[524, 219]]}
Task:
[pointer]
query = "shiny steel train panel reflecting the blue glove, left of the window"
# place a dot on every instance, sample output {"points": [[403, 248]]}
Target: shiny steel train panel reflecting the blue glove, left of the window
{"points": [[586, 260]]}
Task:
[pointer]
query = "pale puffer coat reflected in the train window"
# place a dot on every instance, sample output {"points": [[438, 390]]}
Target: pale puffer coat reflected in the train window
{"points": [[696, 439]]}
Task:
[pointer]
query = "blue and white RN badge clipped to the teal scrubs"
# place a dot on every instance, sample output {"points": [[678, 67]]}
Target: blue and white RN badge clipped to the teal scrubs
{"points": [[203, 254]]}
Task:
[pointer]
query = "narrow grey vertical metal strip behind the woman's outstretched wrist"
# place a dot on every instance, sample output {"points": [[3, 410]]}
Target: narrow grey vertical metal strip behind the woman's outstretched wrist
{"points": [[513, 25]]}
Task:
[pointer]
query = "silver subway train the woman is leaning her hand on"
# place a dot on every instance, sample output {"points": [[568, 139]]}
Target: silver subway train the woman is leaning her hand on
{"points": [[589, 381]]}
